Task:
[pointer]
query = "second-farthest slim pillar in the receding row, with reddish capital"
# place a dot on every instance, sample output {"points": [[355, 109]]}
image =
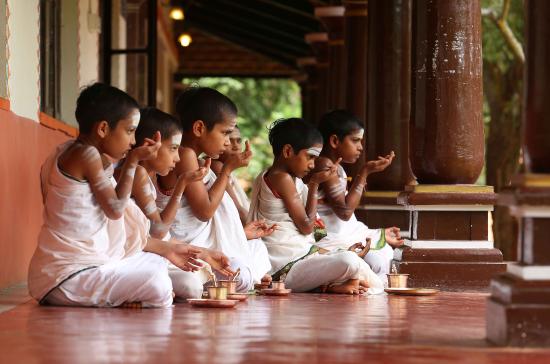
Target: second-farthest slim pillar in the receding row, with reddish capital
{"points": [[319, 44]]}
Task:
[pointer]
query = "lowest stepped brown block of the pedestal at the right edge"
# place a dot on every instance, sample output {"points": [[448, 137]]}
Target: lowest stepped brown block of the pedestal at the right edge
{"points": [[518, 312]]}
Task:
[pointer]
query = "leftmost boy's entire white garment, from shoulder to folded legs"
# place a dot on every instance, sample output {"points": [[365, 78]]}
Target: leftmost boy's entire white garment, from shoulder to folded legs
{"points": [[81, 259]]}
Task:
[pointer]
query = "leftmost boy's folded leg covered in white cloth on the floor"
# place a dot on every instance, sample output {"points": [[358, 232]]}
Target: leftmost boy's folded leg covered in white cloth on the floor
{"points": [[142, 277]]}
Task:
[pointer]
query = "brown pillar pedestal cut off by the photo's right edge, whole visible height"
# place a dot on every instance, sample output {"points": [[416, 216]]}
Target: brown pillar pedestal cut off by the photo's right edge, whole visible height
{"points": [[518, 311]]}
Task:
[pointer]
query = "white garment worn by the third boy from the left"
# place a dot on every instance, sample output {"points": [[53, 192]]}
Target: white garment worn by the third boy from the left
{"points": [[223, 232]]}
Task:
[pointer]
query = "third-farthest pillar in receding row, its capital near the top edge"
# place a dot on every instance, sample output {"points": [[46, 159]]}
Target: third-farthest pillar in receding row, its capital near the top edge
{"points": [[333, 19]]}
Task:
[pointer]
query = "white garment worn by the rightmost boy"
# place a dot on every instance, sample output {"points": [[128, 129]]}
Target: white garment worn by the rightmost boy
{"points": [[341, 234]]}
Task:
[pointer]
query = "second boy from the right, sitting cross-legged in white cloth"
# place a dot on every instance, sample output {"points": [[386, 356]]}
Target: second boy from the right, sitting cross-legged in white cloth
{"points": [[279, 196]]}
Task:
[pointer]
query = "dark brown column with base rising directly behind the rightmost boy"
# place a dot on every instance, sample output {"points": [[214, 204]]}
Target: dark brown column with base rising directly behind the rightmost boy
{"points": [[389, 93]]}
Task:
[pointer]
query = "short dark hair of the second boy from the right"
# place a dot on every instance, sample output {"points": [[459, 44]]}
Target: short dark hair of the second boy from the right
{"points": [[296, 132]]}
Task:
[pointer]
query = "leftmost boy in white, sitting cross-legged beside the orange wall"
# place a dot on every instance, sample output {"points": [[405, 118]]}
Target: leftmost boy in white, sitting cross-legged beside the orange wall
{"points": [[81, 258]]}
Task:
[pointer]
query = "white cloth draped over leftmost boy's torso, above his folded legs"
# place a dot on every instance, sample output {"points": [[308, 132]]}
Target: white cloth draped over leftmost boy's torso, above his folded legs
{"points": [[75, 234]]}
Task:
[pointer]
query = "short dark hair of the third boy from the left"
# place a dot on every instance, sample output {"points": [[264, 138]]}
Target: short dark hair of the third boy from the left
{"points": [[203, 103]]}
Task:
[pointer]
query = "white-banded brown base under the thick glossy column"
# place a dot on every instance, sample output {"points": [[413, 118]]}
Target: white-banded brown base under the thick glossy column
{"points": [[448, 245]]}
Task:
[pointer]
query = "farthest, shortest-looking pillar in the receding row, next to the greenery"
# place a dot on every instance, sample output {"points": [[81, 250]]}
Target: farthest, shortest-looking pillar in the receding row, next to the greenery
{"points": [[309, 86]]}
